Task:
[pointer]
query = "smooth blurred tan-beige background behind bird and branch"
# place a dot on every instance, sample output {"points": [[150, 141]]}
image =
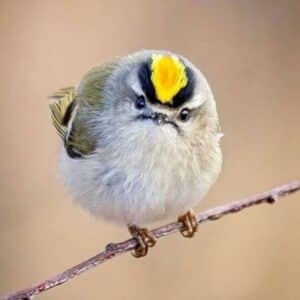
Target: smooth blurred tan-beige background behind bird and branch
{"points": [[250, 52]]}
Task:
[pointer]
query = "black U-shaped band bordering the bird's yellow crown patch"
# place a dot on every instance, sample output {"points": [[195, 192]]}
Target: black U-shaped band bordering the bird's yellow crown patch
{"points": [[185, 94]]}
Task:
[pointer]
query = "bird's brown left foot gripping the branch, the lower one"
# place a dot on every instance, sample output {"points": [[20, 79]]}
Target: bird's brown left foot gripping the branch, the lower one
{"points": [[145, 239]]}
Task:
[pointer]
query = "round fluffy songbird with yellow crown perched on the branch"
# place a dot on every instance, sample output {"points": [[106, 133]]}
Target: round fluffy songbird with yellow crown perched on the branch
{"points": [[141, 140]]}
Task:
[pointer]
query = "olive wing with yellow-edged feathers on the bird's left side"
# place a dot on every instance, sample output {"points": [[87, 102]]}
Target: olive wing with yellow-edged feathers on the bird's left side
{"points": [[69, 110]]}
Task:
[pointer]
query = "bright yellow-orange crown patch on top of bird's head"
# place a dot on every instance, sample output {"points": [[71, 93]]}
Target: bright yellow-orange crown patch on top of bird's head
{"points": [[168, 76]]}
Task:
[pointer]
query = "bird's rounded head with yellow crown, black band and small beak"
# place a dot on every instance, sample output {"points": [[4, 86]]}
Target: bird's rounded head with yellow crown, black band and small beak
{"points": [[156, 94]]}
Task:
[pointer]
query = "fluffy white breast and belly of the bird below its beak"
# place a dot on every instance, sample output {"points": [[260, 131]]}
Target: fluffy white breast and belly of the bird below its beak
{"points": [[139, 181]]}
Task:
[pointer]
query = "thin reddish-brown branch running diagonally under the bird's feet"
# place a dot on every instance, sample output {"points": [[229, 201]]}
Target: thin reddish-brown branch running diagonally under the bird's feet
{"points": [[116, 249]]}
